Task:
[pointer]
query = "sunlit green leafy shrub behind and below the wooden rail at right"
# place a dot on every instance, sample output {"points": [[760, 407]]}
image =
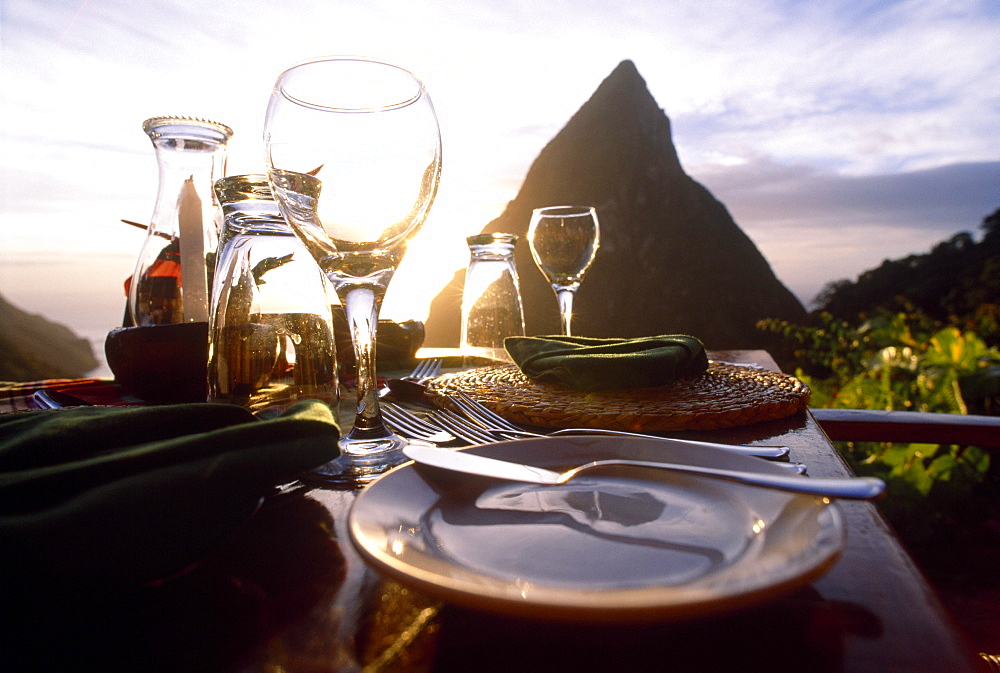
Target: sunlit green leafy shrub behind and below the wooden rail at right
{"points": [[906, 361]]}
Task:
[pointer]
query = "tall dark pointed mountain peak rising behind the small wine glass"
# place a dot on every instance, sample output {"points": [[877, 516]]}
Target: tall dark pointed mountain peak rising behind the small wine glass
{"points": [[672, 260]]}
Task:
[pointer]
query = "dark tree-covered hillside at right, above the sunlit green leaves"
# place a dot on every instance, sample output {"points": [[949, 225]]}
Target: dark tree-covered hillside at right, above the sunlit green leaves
{"points": [[958, 279]]}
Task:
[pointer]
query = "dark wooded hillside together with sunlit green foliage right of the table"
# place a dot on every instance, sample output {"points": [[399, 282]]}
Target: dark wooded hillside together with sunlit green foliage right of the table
{"points": [[919, 334]]}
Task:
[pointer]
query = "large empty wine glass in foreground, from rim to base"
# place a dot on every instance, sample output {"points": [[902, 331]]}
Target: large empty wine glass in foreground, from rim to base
{"points": [[354, 159]]}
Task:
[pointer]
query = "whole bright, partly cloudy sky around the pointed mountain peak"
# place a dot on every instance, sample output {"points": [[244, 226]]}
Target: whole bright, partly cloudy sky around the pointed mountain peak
{"points": [[838, 133]]}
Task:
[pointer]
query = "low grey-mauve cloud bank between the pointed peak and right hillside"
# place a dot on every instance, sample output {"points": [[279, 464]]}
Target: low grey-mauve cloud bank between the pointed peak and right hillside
{"points": [[816, 226]]}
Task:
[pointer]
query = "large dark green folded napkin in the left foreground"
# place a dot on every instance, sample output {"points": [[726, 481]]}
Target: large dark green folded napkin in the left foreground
{"points": [[127, 496]]}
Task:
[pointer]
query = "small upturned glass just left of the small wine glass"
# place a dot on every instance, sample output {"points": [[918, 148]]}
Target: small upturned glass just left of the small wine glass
{"points": [[491, 297]]}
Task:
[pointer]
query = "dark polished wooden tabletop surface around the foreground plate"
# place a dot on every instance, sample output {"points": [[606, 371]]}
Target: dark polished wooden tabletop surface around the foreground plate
{"points": [[289, 593]]}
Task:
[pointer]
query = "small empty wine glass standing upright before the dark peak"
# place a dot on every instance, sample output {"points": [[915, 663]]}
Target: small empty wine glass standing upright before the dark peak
{"points": [[564, 241]]}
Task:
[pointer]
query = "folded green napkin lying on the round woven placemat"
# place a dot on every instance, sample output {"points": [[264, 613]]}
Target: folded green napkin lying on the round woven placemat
{"points": [[587, 364]]}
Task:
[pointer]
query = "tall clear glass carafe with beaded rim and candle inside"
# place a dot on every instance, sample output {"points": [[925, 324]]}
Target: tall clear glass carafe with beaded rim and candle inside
{"points": [[173, 274]]}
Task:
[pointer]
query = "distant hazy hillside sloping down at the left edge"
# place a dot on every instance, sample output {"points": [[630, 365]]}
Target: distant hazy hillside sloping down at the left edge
{"points": [[33, 348]]}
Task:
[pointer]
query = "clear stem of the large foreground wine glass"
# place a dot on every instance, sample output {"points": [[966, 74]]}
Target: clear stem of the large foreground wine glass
{"points": [[361, 306]]}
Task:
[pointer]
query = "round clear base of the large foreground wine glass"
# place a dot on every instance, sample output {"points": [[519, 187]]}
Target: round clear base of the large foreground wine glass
{"points": [[362, 461]]}
